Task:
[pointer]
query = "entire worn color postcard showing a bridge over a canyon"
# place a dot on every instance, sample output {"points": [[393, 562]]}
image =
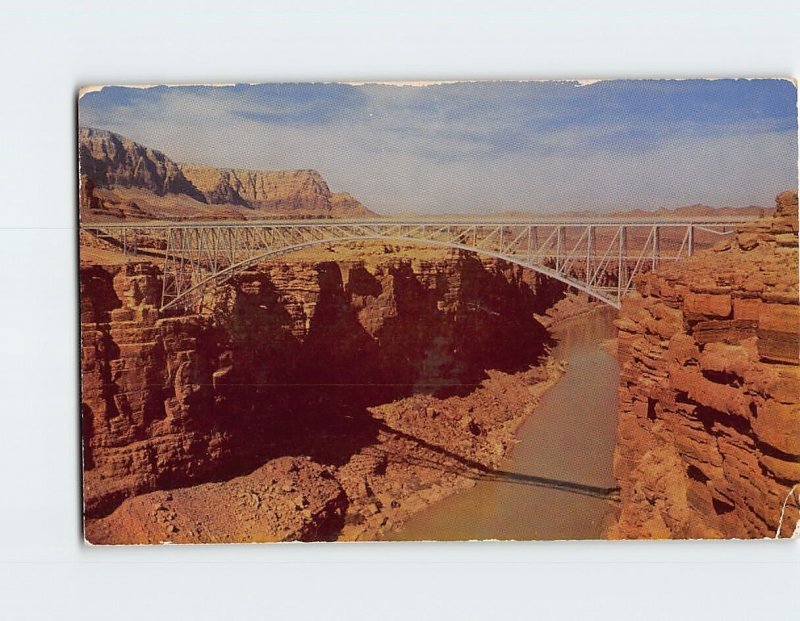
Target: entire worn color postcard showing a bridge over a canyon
{"points": [[531, 310]]}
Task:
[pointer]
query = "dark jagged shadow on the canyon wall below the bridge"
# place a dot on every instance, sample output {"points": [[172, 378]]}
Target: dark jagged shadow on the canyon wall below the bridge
{"points": [[287, 395]]}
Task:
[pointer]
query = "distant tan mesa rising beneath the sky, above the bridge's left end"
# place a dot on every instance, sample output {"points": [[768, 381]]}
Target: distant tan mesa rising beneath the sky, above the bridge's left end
{"points": [[121, 179]]}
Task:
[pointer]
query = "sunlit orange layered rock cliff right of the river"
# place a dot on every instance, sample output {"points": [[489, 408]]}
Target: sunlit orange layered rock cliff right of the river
{"points": [[709, 427]]}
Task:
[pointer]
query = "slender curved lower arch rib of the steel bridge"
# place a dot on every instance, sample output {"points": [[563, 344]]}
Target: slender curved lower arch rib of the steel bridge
{"points": [[221, 276]]}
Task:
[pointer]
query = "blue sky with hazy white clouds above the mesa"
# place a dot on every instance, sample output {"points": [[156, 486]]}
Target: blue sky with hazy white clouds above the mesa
{"points": [[483, 147]]}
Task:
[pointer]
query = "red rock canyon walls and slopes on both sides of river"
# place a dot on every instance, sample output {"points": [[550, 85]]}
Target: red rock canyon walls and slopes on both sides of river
{"points": [[338, 392]]}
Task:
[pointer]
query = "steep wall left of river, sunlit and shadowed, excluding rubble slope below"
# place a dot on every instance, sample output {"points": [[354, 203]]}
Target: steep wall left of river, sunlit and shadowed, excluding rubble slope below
{"points": [[285, 364]]}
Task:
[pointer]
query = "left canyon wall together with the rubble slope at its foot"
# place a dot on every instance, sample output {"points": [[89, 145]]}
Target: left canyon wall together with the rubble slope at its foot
{"points": [[280, 382]]}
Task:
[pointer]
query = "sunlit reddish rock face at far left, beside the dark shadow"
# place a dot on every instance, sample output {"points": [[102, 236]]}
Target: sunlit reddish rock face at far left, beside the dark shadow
{"points": [[144, 381]]}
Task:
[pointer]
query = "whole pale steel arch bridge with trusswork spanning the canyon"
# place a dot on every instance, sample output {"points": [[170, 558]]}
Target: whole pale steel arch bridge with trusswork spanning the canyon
{"points": [[598, 256]]}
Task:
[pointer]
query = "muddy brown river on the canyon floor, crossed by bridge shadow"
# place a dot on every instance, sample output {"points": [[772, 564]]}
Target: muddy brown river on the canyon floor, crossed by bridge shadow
{"points": [[554, 483]]}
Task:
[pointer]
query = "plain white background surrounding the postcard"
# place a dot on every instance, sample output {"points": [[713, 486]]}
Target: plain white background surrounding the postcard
{"points": [[49, 49]]}
